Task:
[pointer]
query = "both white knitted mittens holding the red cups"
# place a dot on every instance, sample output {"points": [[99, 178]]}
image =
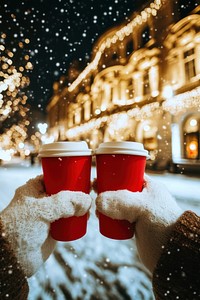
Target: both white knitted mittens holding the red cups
{"points": [[26, 220]]}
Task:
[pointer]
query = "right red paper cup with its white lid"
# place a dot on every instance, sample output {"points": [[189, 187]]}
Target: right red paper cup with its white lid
{"points": [[120, 165]]}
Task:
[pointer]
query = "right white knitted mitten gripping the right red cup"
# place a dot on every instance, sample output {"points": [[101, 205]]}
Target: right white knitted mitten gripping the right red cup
{"points": [[153, 210]]}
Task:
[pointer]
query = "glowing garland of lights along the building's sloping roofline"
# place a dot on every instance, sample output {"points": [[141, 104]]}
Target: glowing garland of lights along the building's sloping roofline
{"points": [[119, 35]]}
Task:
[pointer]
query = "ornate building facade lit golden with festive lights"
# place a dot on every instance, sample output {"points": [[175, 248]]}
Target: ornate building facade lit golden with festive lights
{"points": [[142, 84]]}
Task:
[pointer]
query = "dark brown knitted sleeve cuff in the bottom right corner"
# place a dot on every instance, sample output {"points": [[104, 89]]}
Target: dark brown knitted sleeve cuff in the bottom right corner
{"points": [[177, 274]]}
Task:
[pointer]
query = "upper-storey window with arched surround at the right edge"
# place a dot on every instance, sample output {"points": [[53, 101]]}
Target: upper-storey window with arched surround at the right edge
{"points": [[183, 55]]}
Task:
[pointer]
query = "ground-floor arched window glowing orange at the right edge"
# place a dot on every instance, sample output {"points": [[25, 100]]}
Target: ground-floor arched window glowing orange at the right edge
{"points": [[191, 132]]}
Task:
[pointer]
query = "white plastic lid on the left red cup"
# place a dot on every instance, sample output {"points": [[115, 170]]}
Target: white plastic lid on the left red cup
{"points": [[58, 149]]}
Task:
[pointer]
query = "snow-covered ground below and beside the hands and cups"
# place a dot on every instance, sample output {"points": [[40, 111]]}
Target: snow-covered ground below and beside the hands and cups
{"points": [[95, 267]]}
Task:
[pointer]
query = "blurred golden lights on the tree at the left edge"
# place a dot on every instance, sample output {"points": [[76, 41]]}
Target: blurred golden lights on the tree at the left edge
{"points": [[12, 98]]}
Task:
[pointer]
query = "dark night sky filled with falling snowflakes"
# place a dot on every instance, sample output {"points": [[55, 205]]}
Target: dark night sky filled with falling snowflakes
{"points": [[59, 32]]}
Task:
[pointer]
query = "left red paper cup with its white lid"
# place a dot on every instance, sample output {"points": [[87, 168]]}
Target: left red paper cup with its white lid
{"points": [[67, 166]]}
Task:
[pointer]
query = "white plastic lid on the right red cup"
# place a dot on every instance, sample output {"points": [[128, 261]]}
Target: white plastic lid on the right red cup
{"points": [[131, 148]]}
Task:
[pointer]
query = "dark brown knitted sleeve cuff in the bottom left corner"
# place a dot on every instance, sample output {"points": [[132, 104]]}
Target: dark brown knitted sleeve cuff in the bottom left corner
{"points": [[13, 284]]}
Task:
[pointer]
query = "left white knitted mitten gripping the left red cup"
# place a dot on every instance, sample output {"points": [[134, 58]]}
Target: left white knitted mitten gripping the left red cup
{"points": [[26, 221]]}
